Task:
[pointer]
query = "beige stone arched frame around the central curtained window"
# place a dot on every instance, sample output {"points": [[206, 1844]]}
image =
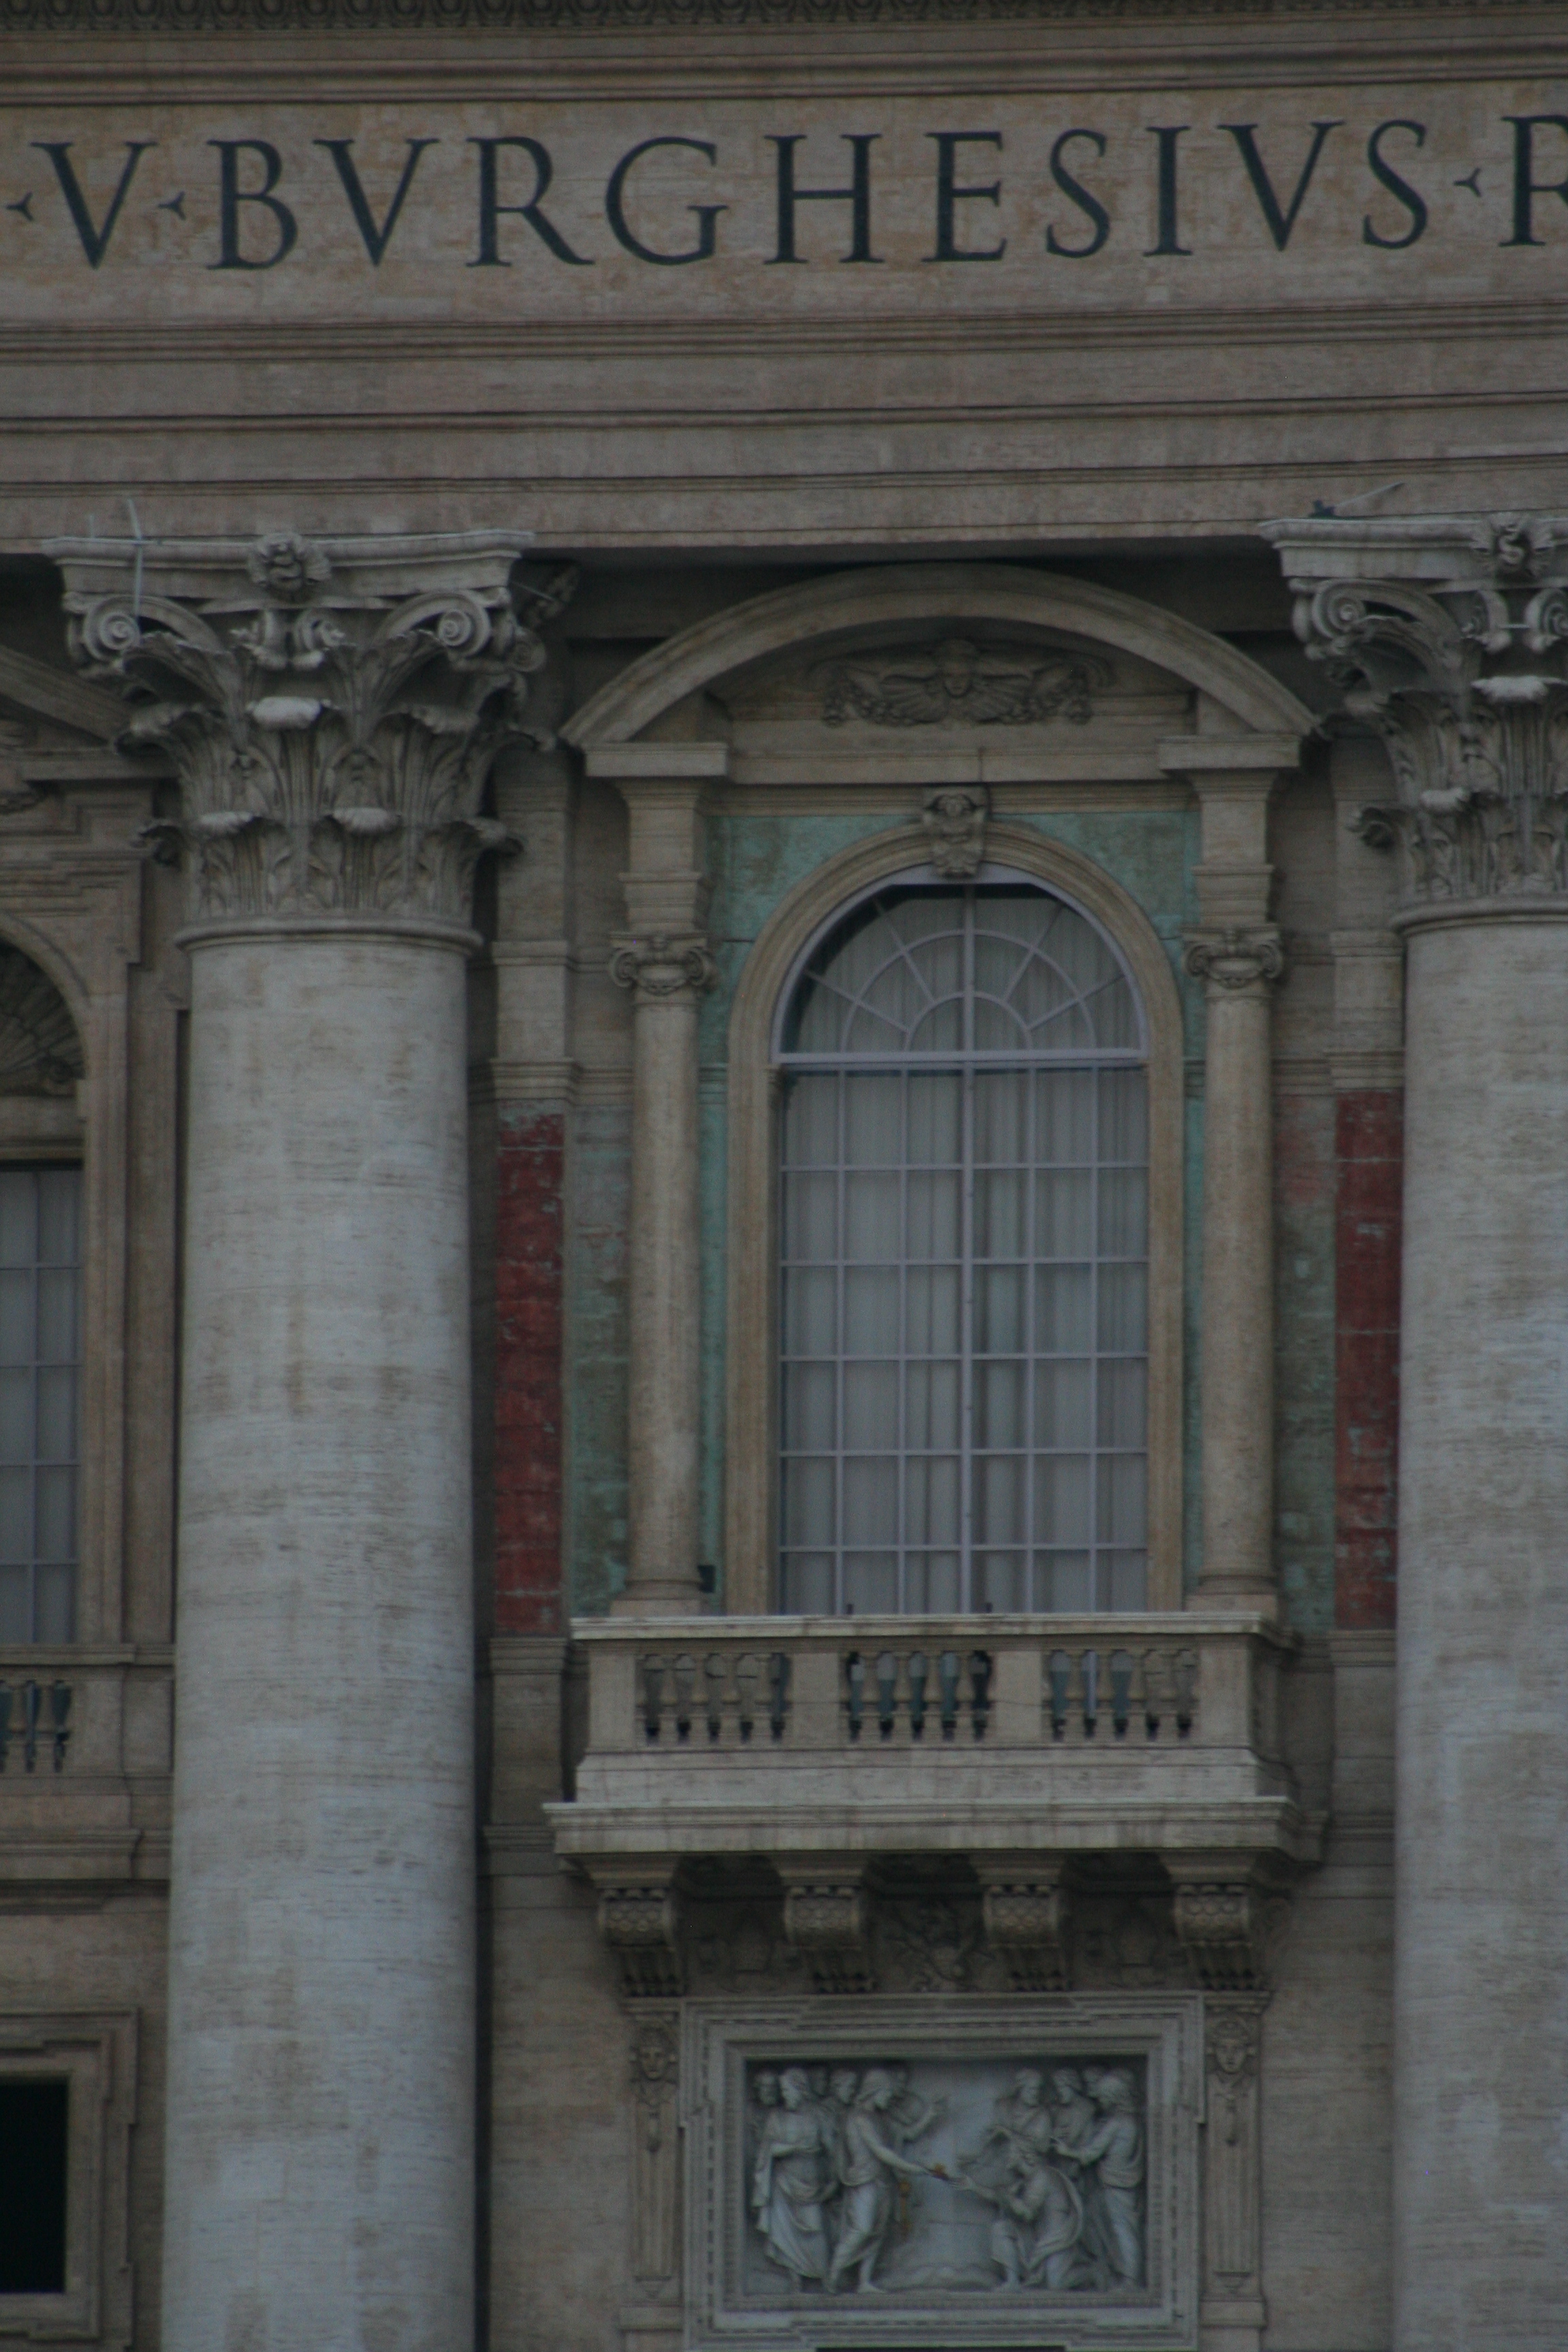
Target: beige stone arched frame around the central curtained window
{"points": [[796, 928]]}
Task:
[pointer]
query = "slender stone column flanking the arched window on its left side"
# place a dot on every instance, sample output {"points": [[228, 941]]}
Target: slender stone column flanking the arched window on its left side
{"points": [[666, 965]]}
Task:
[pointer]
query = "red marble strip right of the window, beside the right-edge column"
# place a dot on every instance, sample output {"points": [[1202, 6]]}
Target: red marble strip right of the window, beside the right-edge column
{"points": [[1369, 1165]]}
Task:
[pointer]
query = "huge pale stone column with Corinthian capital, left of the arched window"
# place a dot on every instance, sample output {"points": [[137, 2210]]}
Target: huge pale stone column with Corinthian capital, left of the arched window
{"points": [[330, 711]]}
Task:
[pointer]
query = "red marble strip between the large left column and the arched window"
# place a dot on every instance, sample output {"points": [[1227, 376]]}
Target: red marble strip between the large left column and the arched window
{"points": [[530, 1375]]}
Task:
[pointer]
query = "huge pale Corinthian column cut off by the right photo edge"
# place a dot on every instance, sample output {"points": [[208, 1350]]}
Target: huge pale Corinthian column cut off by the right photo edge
{"points": [[1449, 639]]}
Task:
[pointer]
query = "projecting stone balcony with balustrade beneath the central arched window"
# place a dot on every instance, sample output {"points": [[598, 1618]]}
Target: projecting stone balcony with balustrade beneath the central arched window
{"points": [[925, 1737]]}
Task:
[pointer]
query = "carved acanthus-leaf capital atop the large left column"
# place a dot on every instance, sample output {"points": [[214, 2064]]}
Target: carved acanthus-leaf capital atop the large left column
{"points": [[330, 709]]}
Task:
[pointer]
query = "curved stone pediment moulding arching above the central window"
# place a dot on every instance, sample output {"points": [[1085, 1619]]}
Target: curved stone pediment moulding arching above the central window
{"points": [[937, 603]]}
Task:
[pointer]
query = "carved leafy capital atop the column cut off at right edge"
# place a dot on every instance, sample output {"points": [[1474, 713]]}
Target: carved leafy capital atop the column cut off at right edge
{"points": [[1449, 636]]}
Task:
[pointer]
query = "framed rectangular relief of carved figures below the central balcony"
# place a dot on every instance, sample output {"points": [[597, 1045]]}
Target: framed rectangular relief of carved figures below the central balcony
{"points": [[918, 2172]]}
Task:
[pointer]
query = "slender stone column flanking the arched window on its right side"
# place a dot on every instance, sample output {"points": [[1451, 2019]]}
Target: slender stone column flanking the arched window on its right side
{"points": [[1238, 956]]}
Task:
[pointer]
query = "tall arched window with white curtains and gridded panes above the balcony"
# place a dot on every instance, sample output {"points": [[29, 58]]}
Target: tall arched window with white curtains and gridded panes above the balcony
{"points": [[963, 1259]]}
